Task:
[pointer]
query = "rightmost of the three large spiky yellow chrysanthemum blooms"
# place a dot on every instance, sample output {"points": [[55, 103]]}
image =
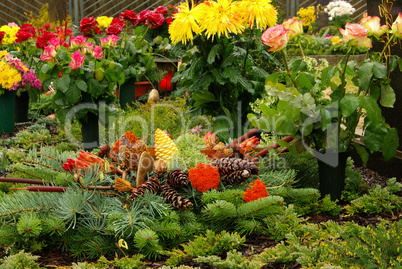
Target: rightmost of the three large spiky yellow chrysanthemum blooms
{"points": [[258, 12]]}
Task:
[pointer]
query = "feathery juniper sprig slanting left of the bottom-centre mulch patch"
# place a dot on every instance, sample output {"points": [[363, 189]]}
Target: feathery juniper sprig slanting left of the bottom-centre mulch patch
{"points": [[209, 244]]}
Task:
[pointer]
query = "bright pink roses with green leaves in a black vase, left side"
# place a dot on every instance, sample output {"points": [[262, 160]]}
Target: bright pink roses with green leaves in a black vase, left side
{"points": [[83, 76]]}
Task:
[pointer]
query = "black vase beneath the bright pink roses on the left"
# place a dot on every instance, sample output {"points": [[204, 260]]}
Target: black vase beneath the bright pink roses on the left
{"points": [[90, 131]]}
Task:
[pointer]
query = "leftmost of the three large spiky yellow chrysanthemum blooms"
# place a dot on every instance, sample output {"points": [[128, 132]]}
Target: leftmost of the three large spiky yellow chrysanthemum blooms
{"points": [[184, 26]]}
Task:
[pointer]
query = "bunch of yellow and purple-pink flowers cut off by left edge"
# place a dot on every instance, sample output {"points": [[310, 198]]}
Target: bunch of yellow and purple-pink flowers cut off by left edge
{"points": [[15, 75]]}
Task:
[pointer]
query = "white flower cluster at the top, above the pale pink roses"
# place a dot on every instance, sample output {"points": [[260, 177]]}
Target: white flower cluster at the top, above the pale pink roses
{"points": [[339, 12]]}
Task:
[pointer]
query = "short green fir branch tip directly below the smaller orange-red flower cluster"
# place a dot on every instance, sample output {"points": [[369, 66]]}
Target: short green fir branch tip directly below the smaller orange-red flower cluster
{"points": [[260, 208]]}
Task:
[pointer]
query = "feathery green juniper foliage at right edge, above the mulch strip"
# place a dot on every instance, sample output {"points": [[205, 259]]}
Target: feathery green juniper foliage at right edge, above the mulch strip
{"points": [[378, 200]]}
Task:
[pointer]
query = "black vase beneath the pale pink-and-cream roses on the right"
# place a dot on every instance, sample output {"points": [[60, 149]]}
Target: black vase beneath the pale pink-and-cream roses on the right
{"points": [[331, 170]]}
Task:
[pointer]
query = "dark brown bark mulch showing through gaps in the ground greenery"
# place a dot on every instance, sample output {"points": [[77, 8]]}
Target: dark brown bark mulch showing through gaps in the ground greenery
{"points": [[54, 258]]}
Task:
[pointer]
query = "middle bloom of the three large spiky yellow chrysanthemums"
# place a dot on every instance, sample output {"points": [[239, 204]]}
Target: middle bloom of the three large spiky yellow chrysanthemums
{"points": [[218, 18]]}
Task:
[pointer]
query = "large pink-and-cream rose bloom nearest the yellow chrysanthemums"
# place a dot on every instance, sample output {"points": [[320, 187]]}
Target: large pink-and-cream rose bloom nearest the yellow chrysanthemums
{"points": [[276, 37]]}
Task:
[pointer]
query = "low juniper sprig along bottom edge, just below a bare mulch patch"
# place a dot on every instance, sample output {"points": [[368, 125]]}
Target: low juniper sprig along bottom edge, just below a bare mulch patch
{"points": [[233, 260]]}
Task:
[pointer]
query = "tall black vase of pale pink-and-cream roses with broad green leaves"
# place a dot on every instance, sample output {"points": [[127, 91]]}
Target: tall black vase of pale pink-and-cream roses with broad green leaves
{"points": [[327, 125]]}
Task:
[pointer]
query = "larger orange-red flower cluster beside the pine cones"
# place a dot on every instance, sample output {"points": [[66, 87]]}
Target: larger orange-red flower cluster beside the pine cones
{"points": [[204, 177]]}
